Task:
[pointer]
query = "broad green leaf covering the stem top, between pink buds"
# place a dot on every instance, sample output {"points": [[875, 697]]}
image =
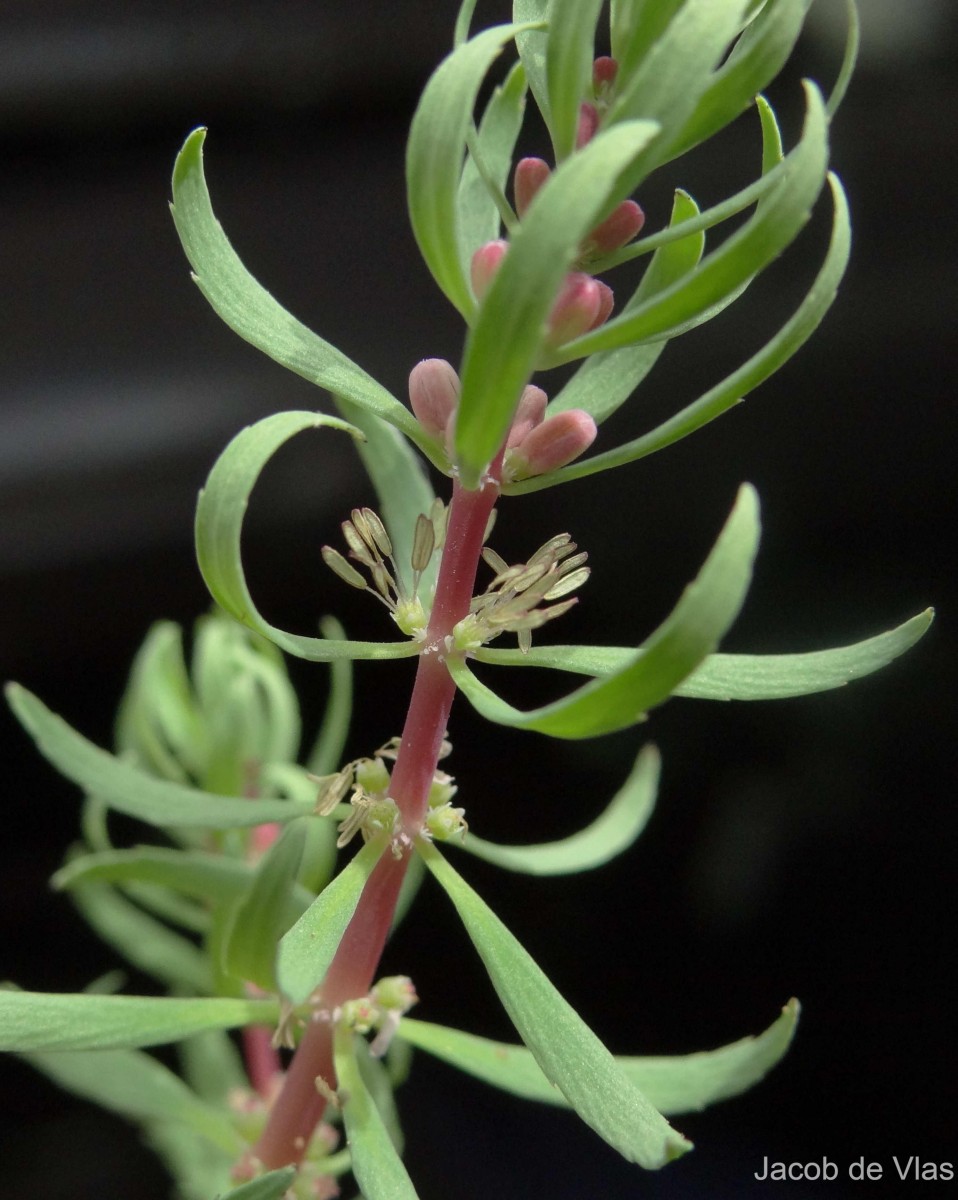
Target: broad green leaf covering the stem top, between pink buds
{"points": [[504, 347]]}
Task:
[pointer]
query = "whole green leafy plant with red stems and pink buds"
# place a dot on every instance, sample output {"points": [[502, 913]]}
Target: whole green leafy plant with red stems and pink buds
{"points": [[264, 908]]}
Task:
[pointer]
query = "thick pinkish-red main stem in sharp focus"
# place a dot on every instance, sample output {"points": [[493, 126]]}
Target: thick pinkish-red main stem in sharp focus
{"points": [[300, 1107]]}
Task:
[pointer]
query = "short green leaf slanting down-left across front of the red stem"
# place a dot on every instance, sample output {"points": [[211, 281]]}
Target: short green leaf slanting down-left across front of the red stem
{"points": [[308, 949]]}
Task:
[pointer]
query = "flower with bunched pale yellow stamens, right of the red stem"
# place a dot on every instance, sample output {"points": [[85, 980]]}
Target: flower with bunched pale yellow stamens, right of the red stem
{"points": [[512, 602]]}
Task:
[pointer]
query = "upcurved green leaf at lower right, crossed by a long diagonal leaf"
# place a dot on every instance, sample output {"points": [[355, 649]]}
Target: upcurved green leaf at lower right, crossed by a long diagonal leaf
{"points": [[674, 1085]]}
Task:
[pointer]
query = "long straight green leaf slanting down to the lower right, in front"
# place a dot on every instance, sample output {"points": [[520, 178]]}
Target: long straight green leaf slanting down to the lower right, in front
{"points": [[565, 1048]]}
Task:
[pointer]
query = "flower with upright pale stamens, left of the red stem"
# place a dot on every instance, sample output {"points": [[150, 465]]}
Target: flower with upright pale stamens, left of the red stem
{"points": [[372, 548]]}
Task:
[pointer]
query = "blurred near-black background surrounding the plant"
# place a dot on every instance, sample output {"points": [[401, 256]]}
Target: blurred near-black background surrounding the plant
{"points": [[804, 848]]}
